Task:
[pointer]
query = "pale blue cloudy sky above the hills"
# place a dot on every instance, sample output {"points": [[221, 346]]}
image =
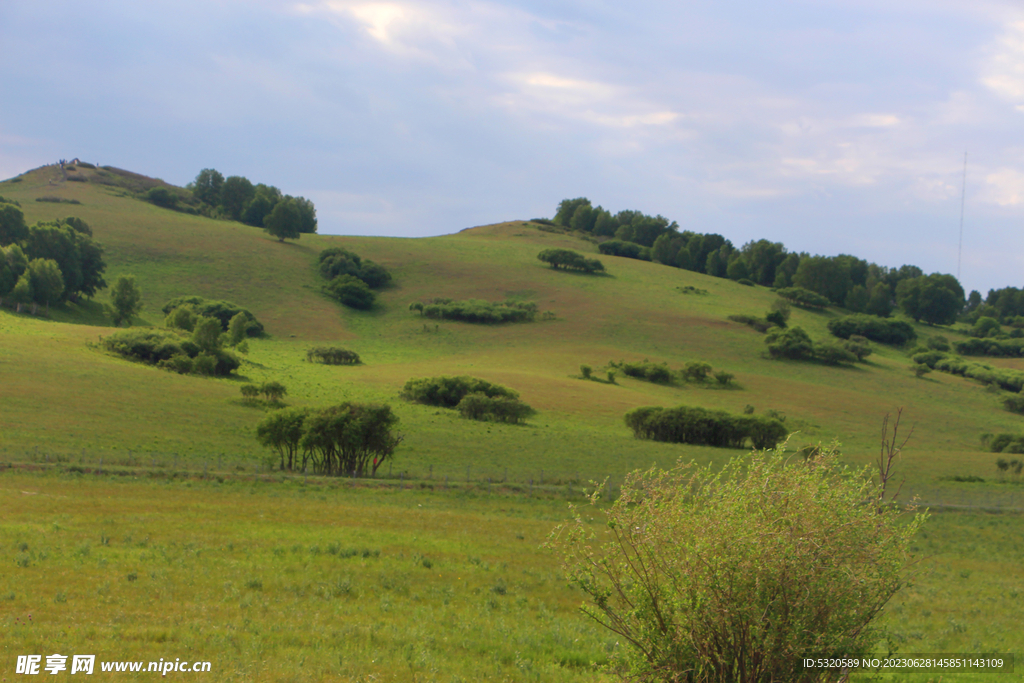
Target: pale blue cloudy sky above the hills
{"points": [[832, 126]]}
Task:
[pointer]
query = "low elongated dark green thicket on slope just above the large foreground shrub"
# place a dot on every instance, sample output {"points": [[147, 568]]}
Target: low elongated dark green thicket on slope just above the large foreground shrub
{"points": [[703, 428]]}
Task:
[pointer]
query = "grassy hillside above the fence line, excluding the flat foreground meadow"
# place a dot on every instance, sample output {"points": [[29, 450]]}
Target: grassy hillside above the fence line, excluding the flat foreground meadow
{"points": [[638, 311]]}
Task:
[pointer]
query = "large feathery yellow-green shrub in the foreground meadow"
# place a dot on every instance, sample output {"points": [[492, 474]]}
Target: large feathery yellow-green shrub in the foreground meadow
{"points": [[735, 576]]}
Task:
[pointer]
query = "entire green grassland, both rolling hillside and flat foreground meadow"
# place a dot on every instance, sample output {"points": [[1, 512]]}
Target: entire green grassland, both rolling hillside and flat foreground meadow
{"points": [[237, 556]]}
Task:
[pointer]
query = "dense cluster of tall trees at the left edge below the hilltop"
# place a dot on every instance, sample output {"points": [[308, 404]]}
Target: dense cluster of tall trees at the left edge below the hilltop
{"points": [[50, 263]]}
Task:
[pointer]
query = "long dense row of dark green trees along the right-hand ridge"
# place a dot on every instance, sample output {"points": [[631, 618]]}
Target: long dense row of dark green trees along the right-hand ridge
{"points": [[842, 281]]}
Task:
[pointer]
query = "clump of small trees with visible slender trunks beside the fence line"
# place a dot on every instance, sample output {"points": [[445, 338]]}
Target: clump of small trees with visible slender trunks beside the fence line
{"points": [[351, 440]]}
